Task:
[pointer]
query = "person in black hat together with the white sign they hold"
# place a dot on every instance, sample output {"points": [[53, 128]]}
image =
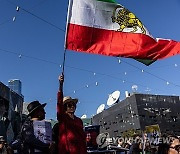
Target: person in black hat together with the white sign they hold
{"points": [[32, 130]]}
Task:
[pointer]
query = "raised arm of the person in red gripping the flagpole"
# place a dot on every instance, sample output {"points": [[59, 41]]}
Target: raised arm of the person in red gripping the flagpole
{"points": [[60, 107]]}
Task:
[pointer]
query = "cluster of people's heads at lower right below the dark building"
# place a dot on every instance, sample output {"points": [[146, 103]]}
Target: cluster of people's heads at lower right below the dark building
{"points": [[139, 145]]}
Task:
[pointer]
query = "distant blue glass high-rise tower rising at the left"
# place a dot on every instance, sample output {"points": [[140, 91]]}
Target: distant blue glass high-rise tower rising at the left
{"points": [[15, 85]]}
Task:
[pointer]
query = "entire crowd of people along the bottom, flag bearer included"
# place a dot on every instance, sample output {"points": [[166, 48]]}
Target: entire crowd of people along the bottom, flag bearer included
{"points": [[68, 136]]}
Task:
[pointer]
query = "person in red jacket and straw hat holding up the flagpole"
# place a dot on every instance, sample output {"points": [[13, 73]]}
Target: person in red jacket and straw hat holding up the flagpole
{"points": [[72, 139]]}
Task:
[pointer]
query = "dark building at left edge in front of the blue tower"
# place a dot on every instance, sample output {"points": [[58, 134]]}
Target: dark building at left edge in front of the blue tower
{"points": [[11, 105]]}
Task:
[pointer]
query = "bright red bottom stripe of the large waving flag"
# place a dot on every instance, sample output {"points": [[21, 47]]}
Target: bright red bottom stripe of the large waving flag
{"points": [[121, 44]]}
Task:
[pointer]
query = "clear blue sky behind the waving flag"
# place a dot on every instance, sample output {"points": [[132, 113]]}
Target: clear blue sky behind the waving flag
{"points": [[32, 49]]}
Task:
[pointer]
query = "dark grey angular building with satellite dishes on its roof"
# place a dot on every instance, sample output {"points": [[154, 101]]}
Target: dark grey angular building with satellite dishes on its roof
{"points": [[139, 111]]}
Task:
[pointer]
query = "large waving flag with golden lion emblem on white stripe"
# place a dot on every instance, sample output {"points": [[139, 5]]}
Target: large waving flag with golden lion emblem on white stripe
{"points": [[107, 28]]}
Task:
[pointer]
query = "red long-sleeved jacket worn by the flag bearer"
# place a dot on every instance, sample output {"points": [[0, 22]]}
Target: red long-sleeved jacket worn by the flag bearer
{"points": [[72, 139]]}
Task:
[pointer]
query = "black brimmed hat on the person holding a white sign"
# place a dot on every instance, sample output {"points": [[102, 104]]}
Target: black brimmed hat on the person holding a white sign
{"points": [[34, 106]]}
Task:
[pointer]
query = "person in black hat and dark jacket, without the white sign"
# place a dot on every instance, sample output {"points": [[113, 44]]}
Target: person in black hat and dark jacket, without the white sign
{"points": [[31, 144]]}
